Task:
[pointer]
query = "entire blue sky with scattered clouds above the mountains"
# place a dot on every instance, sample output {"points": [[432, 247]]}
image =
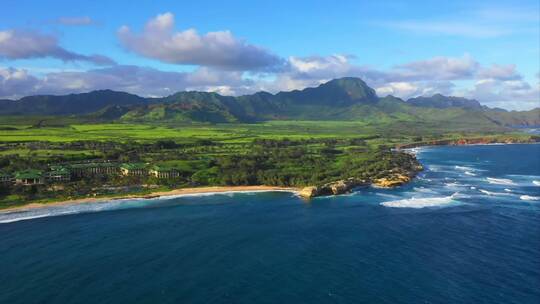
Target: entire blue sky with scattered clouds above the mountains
{"points": [[485, 50]]}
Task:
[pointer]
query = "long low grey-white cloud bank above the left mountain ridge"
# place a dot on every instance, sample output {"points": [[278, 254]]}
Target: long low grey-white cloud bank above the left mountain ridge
{"points": [[15, 83]]}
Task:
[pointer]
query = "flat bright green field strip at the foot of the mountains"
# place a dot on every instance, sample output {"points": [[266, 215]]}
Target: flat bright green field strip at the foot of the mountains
{"points": [[217, 132]]}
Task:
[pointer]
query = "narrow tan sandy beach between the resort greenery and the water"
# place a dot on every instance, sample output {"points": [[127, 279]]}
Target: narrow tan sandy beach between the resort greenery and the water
{"points": [[153, 195]]}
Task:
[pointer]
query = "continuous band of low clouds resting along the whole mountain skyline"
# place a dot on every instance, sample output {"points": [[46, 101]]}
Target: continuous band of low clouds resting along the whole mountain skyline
{"points": [[495, 85]]}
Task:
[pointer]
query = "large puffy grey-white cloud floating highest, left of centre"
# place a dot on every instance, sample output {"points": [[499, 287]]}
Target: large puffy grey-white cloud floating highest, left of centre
{"points": [[221, 49]]}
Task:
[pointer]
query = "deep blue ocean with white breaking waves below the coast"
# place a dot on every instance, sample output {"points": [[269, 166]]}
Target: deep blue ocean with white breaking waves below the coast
{"points": [[467, 230]]}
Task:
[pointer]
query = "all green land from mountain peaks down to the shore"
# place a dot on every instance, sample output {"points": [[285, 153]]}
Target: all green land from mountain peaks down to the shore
{"points": [[193, 139]]}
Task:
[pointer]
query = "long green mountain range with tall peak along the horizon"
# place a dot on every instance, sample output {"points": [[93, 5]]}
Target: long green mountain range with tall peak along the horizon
{"points": [[339, 99]]}
